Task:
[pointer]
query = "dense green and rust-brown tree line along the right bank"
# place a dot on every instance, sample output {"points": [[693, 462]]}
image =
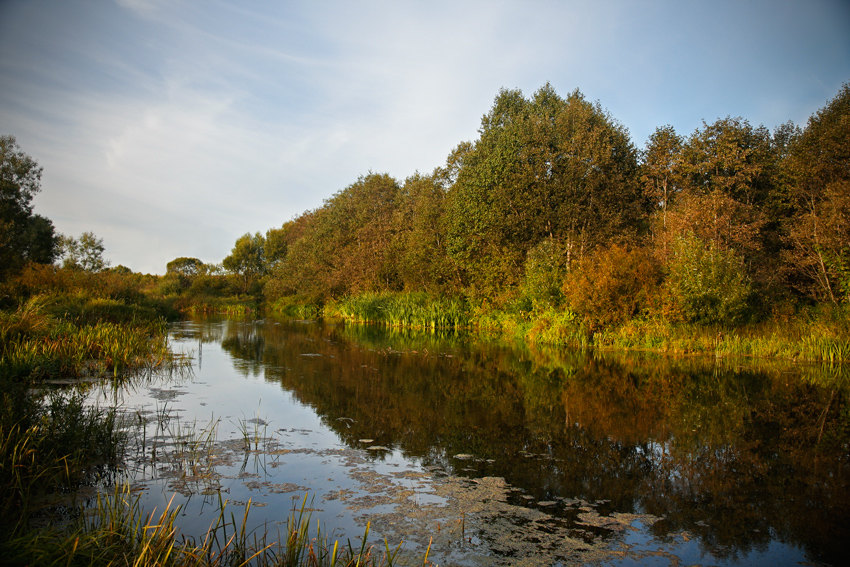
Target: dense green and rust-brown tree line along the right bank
{"points": [[554, 204]]}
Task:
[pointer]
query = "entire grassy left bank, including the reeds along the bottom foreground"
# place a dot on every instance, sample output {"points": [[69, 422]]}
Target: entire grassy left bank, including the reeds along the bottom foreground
{"points": [[71, 328]]}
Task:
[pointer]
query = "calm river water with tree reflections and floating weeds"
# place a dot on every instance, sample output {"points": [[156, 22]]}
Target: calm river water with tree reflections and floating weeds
{"points": [[503, 454]]}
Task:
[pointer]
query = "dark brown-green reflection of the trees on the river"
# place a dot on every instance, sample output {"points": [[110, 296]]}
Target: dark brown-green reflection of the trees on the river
{"points": [[739, 453]]}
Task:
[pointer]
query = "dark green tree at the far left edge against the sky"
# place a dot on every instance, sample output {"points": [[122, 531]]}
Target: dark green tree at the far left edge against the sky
{"points": [[24, 236]]}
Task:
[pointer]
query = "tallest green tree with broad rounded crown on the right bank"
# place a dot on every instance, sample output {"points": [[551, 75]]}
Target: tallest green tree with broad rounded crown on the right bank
{"points": [[548, 167]]}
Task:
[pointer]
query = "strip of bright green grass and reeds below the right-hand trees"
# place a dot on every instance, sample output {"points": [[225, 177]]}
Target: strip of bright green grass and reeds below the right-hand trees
{"points": [[819, 334]]}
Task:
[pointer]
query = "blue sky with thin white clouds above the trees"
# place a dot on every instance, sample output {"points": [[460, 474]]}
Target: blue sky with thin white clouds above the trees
{"points": [[171, 128]]}
